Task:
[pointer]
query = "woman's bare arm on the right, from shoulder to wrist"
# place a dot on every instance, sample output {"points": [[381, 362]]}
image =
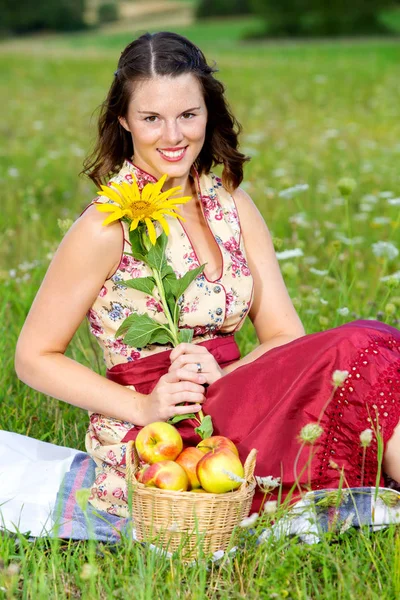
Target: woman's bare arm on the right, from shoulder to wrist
{"points": [[272, 312]]}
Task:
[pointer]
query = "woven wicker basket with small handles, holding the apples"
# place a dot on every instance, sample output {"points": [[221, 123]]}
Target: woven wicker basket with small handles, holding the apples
{"points": [[193, 523]]}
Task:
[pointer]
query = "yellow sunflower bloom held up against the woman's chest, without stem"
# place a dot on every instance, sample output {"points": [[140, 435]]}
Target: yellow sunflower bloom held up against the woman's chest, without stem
{"points": [[149, 205]]}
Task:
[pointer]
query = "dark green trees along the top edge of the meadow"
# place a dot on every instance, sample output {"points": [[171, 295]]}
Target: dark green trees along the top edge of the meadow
{"points": [[286, 18]]}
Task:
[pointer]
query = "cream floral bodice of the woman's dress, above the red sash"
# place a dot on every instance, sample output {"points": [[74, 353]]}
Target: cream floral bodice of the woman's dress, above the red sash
{"points": [[210, 308]]}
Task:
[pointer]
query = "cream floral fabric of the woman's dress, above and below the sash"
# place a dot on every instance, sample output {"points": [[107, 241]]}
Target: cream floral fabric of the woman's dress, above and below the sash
{"points": [[210, 307]]}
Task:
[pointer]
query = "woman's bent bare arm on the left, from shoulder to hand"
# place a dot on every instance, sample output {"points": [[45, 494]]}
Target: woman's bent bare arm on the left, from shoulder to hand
{"points": [[88, 254]]}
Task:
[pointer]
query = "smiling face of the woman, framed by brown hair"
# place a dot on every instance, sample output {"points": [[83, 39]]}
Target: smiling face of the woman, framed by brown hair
{"points": [[167, 119]]}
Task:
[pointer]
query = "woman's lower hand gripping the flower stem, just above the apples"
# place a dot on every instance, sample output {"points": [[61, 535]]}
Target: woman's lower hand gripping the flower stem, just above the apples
{"points": [[170, 392]]}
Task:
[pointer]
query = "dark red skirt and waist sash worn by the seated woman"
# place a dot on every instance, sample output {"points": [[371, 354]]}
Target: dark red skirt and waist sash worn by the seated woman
{"points": [[266, 403]]}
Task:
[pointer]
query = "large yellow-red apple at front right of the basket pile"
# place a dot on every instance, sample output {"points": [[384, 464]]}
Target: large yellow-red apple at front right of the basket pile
{"points": [[214, 470]]}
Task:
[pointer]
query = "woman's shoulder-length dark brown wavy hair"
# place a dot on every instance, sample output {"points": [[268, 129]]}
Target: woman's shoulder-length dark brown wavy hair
{"points": [[170, 54]]}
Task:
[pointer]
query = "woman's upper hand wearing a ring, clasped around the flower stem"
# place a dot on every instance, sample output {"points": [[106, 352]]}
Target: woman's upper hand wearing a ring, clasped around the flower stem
{"points": [[187, 357]]}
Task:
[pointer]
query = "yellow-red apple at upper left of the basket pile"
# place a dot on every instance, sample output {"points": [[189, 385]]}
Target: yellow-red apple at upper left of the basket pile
{"points": [[158, 441]]}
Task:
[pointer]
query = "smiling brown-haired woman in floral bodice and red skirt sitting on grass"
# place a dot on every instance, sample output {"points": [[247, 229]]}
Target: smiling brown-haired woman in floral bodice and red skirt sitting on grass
{"points": [[165, 113]]}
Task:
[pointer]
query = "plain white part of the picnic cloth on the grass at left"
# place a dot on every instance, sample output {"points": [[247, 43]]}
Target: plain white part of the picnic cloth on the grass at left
{"points": [[31, 472]]}
